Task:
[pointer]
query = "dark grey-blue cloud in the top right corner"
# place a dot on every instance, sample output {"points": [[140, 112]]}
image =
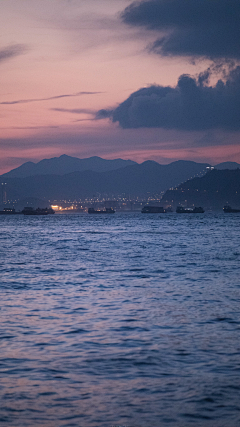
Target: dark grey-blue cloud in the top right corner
{"points": [[209, 28]]}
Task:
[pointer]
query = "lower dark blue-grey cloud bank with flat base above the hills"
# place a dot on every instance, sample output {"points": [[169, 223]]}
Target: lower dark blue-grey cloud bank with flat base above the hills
{"points": [[191, 105]]}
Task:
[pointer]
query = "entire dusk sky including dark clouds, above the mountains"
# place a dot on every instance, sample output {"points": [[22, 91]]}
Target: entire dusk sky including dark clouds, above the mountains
{"points": [[154, 79]]}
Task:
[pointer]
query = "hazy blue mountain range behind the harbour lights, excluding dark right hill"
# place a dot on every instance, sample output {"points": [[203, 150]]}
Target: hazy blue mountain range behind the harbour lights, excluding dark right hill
{"points": [[70, 178]]}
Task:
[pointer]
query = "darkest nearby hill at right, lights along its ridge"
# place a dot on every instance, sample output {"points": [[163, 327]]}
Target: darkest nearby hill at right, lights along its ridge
{"points": [[214, 190]]}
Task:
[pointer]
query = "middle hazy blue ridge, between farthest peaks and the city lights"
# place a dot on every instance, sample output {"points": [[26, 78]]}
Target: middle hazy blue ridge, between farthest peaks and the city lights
{"points": [[148, 178]]}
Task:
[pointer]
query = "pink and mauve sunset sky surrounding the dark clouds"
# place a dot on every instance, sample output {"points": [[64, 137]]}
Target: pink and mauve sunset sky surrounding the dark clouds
{"points": [[61, 61]]}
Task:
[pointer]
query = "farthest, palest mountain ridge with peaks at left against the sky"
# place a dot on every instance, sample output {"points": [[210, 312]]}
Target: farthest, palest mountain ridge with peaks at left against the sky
{"points": [[66, 164]]}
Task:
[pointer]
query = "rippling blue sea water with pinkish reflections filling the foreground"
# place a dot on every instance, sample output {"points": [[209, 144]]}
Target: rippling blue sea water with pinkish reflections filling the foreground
{"points": [[120, 320]]}
